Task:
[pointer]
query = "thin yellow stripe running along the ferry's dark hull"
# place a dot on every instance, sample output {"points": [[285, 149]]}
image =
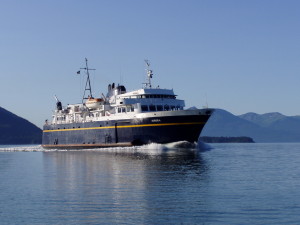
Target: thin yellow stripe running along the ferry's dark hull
{"points": [[127, 126]]}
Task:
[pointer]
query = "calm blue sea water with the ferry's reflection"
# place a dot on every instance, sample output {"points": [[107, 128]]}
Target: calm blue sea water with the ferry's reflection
{"points": [[155, 184]]}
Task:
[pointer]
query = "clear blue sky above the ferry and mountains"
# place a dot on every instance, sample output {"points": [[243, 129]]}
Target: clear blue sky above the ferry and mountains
{"points": [[241, 56]]}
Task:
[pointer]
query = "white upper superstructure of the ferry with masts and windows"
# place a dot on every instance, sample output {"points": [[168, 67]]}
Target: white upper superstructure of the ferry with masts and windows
{"points": [[118, 103]]}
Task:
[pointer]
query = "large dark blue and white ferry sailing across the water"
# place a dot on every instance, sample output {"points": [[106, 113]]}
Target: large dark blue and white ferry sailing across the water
{"points": [[121, 118]]}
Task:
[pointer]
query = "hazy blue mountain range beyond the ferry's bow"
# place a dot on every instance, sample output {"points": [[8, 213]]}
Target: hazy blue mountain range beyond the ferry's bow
{"points": [[269, 127]]}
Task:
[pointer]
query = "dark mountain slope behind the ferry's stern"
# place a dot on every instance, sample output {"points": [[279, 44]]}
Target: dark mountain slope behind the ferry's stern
{"points": [[16, 130]]}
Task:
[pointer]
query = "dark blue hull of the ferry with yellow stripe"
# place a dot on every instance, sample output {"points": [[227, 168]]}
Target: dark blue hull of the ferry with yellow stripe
{"points": [[124, 132]]}
